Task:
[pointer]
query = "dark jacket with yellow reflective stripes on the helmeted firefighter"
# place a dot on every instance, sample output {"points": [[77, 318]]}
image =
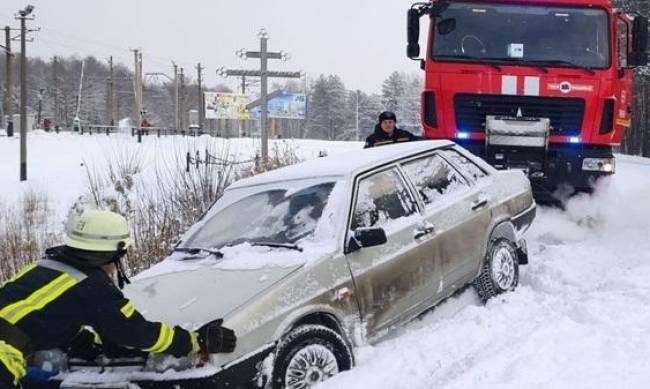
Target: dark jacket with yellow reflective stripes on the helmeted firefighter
{"points": [[50, 303]]}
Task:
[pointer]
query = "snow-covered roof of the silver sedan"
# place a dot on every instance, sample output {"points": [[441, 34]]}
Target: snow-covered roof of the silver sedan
{"points": [[343, 165]]}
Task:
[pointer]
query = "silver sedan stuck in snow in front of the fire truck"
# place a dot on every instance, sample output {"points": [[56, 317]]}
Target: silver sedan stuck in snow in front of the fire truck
{"points": [[309, 261]]}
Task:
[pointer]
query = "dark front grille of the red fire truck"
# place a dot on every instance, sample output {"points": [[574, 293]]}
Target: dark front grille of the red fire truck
{"points": [[566, 114]]}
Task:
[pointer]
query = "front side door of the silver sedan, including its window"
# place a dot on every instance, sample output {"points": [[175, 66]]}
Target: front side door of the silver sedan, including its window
{"points": [[388, 278]]}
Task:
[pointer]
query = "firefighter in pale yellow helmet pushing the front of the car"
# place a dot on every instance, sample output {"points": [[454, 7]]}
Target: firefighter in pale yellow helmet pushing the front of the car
{"points": [[48, 304]]}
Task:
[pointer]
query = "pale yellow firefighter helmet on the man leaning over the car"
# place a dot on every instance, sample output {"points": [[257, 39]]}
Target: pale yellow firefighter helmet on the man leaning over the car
{"points": [[97, 231]]}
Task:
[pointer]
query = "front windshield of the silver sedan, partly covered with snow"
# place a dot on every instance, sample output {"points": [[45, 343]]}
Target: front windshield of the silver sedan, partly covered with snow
{"points": [[273, 216]]}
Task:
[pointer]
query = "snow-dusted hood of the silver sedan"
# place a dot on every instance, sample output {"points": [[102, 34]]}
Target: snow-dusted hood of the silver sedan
{"points": [[204, 292]]}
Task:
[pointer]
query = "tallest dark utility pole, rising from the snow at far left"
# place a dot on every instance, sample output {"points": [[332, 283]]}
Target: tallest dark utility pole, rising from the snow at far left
{"points": [[23, 16]]}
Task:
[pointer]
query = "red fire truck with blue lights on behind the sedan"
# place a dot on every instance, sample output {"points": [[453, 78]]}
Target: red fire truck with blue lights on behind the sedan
{"points": [[545, 86]]}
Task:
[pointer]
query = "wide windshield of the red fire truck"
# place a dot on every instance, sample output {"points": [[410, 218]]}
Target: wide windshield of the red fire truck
{"points": [[528, 35]]}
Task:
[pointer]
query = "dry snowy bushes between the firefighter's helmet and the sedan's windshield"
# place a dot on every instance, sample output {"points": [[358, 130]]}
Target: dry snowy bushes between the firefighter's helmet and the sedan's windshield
{"points": [[163, 205]]}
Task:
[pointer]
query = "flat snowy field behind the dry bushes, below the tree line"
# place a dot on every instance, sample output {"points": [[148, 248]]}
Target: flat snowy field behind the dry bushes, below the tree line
{"points": [[57, 163]]}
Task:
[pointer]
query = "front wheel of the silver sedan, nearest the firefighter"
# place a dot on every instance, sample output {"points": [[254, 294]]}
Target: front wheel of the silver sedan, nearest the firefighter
{"points": [[309, 355]]}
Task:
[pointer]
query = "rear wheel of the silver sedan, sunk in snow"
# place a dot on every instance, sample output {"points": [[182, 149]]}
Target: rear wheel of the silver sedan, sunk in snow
{"points": [[500, 271]]}
